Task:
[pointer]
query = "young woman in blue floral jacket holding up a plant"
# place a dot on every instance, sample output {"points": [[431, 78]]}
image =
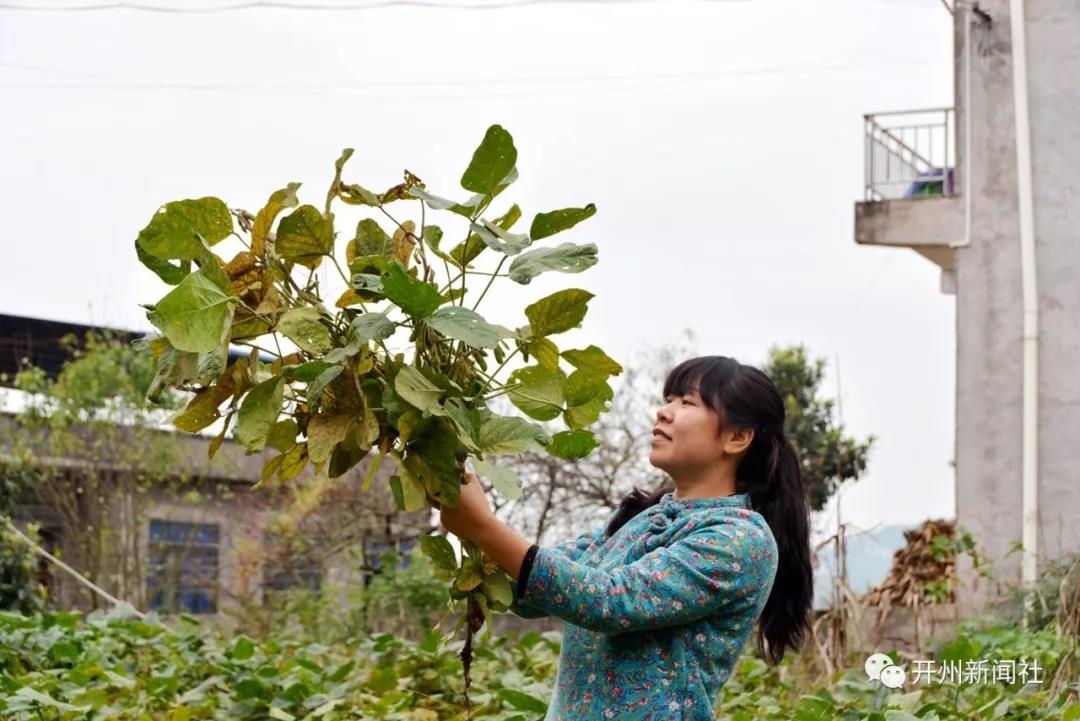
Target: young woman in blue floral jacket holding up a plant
{"points": [[660, 602]]}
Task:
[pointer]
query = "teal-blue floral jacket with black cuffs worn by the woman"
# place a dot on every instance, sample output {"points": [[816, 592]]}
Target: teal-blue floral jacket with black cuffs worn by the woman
{"points": [[656, 615]]}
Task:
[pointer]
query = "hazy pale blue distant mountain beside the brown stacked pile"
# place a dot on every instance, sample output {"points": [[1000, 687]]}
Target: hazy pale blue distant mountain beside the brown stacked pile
{"points": [[870, 557]]}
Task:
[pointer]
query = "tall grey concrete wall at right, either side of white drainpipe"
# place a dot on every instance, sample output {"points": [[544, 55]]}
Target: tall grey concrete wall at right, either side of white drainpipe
{"points": [[990, 323]]}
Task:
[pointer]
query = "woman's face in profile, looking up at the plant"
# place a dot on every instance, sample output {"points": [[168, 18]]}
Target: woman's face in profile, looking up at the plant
{"points": [[686, 436]]}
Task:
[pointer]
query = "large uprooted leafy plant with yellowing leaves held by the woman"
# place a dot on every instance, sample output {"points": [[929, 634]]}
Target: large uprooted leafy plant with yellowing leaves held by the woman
{"points": [[322, 386]]}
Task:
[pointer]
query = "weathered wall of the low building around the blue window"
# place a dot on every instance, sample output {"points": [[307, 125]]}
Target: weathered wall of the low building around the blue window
{"points": [[219, 493]]}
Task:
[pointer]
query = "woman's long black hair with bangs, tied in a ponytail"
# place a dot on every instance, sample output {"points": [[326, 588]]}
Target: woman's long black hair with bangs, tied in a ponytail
{"points": [[772, 475]]}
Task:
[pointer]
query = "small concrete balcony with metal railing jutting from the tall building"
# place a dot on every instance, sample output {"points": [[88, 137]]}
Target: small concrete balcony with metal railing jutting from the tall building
{"points": [[911, 192]]}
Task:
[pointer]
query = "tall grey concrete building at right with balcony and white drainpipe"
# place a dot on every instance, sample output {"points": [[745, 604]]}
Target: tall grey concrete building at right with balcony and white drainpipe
{"points": [[952, 186]]}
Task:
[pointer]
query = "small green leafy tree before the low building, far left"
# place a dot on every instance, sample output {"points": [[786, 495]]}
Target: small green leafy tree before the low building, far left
{"points": [[88, 446]]}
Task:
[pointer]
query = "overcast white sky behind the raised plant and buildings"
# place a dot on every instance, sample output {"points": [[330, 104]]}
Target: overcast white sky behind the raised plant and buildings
{"points": [[722, 143]]}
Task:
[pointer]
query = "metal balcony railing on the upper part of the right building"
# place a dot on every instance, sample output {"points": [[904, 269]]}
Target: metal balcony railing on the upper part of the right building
{"points": [[911, 154]]}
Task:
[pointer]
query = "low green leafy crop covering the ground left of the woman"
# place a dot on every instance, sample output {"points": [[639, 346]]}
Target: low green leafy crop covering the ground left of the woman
{"points": [[114, 666]]}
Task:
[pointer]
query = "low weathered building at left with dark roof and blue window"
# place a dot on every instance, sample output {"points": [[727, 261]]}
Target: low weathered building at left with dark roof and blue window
{"points": [[197, 539]]}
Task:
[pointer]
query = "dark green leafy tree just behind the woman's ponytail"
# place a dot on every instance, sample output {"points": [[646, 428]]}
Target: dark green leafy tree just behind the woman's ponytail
{"points": [[830, 458]]}
